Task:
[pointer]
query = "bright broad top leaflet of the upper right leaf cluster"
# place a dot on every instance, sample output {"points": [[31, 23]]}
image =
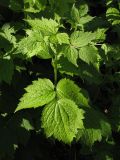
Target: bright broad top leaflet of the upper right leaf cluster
{"points": [[80, 38]]}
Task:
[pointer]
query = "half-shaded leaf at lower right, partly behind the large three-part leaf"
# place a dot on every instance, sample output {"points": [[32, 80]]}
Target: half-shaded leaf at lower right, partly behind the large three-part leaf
{"points": [[96, 127]]}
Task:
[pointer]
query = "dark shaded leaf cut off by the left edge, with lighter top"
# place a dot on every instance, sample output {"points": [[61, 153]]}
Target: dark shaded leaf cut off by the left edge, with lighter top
{"points": [[6, 69]]}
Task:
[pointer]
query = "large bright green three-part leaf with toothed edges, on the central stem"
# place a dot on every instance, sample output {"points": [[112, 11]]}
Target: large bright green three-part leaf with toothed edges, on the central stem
{"points": [[61, 117]]}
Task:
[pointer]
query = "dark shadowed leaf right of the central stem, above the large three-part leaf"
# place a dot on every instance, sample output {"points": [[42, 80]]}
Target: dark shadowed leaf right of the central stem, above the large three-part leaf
{"points": [[87, 72]]}
